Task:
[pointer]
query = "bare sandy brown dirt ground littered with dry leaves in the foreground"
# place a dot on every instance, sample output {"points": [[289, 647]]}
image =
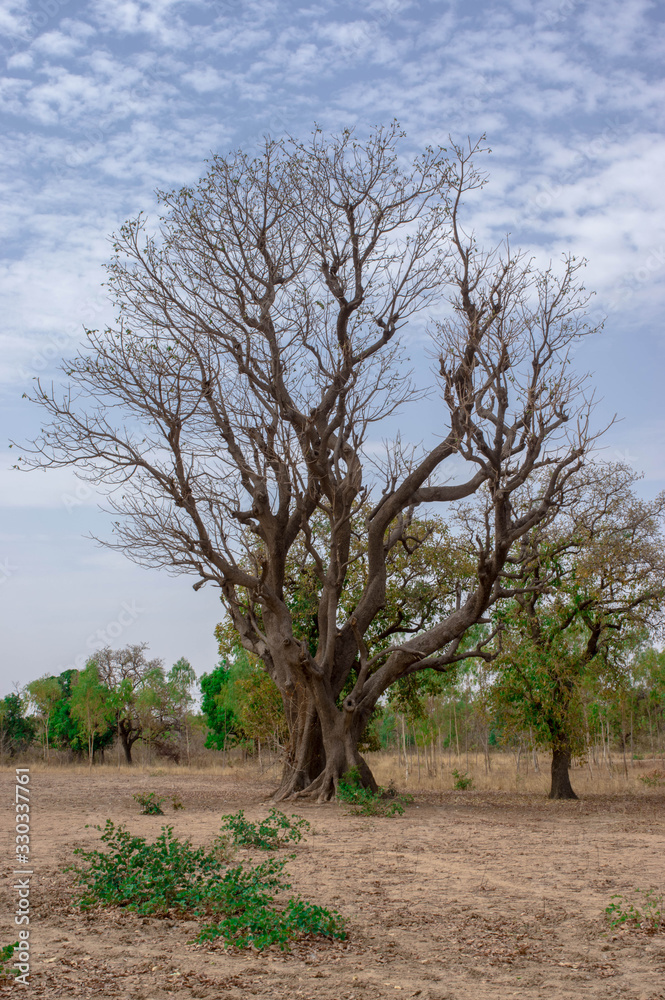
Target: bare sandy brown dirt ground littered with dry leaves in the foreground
{"points": [[468, 895]]}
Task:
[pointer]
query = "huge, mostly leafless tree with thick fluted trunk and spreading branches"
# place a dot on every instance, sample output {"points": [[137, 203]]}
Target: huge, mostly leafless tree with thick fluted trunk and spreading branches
{"points": [[258, 342]]}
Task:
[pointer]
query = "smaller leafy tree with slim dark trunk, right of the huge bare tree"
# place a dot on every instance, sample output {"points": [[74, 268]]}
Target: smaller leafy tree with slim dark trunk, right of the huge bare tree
{"points": [[580, 595]]}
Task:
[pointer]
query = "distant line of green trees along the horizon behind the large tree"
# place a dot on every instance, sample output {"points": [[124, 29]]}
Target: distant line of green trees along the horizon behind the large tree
{"points": [[122, 698]]}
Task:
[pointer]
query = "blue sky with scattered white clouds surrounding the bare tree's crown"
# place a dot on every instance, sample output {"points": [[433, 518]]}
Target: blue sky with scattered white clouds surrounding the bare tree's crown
{"points": [[102, 102]]}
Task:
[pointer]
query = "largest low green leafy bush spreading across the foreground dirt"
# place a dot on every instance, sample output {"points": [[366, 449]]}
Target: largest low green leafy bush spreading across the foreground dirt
{"points": [[172, 876]]}
